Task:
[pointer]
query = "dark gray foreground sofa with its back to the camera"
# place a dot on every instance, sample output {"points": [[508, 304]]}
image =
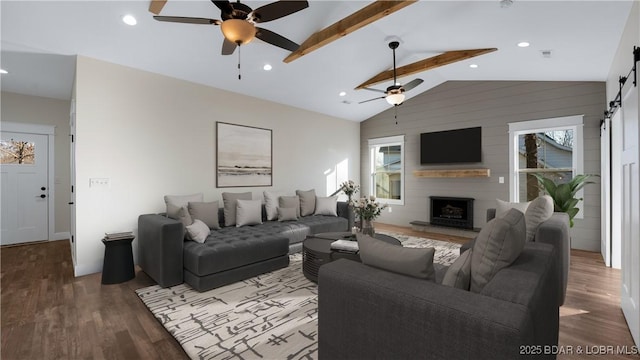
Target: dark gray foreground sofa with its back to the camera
{"points": [[366, 312]]}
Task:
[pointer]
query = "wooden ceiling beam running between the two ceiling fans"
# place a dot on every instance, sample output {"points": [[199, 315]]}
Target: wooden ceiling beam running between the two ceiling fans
{"points": [[351, 23]]}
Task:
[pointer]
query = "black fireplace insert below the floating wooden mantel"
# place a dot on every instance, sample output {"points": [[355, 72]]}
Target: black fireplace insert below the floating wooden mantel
{"points": [[451, 211]]}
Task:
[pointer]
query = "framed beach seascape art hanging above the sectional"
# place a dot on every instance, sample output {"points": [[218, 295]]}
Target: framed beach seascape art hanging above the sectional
{"points": [[243, 155]]}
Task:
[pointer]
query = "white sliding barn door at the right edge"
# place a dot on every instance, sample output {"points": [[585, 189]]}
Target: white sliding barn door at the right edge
{"points": [[630, 293]]}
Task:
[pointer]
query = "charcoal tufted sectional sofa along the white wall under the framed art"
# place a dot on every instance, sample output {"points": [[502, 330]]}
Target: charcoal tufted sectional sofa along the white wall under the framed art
{"points": [[228, 254]]}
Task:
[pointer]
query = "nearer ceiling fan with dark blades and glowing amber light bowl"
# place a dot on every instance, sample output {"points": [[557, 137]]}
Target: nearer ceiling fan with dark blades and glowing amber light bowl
{"points": [[239, 21]]}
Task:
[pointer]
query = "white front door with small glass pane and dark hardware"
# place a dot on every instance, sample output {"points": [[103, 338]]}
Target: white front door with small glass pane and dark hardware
{"points": [[25, 194]]}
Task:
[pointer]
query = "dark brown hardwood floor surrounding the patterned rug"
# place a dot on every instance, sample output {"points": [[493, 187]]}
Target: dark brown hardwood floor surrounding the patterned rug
{"points": [[47, 313]]}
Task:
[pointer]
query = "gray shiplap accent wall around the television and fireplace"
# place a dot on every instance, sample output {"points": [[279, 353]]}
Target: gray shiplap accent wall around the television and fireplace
{"points": [[492, 105]]}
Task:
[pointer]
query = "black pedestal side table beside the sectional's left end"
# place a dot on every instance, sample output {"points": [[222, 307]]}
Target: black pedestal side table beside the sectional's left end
{"points": [[118, 261]]}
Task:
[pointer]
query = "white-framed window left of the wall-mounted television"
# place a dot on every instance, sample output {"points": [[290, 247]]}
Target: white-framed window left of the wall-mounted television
{"points": [[386, 157]]}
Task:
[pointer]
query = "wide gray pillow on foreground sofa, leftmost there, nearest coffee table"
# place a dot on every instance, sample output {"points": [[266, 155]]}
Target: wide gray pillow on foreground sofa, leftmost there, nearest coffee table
{"points": [[415, 262]]}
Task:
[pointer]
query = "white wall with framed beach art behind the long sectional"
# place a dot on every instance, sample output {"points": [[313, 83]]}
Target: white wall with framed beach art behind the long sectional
{"points": [[152, 135]]}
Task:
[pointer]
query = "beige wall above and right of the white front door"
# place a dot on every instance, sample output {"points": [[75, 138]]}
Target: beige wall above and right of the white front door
{"points": [[27, 109]]}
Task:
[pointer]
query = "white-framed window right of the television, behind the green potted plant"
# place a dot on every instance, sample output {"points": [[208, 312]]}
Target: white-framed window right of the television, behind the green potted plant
{"points": [[551, 147]]}
